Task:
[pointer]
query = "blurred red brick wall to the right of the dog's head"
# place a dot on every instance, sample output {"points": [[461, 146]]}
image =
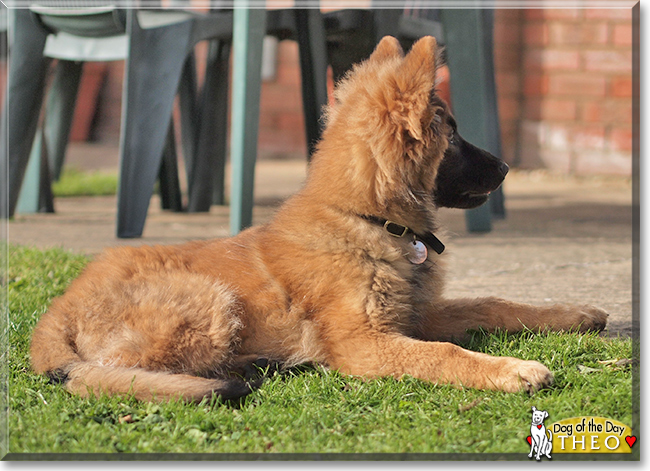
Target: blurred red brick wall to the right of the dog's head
{"points": [[575, 91]]}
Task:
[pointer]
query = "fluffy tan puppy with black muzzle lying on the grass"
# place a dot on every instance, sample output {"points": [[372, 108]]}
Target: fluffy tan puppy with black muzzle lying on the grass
{"points": [[322, 282]]}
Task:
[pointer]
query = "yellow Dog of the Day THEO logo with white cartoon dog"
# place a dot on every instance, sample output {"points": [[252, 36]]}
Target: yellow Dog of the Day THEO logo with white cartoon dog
{"points": [[578, 435]]}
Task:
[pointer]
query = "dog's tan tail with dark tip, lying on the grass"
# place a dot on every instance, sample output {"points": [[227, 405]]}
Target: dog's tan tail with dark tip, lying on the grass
{"points": [[53, 354]]}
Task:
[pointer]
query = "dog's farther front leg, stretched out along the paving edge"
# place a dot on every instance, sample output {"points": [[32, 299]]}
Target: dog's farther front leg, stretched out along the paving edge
{"points": [[451, 319]]}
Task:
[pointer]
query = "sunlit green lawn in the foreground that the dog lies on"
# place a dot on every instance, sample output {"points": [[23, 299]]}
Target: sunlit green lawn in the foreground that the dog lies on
{"points": [[308, 409]]}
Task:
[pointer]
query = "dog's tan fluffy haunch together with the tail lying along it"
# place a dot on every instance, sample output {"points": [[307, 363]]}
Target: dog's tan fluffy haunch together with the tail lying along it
{"points": [[152, 337]]}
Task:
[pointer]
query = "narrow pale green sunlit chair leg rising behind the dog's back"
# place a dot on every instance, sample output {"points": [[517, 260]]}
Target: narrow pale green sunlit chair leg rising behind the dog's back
{"points": [[249, 27]]}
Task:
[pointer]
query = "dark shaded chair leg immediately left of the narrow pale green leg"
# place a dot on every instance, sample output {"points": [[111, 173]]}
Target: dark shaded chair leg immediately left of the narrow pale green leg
{"points": [[206, 180]]}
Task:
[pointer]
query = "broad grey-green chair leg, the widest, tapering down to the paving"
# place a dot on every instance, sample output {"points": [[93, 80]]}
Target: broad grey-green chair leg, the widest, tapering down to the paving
{"points": [[155, 64]]}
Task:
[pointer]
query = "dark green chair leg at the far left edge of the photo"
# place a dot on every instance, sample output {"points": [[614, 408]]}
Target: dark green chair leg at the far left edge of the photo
{"points": [[26, 81]]}
